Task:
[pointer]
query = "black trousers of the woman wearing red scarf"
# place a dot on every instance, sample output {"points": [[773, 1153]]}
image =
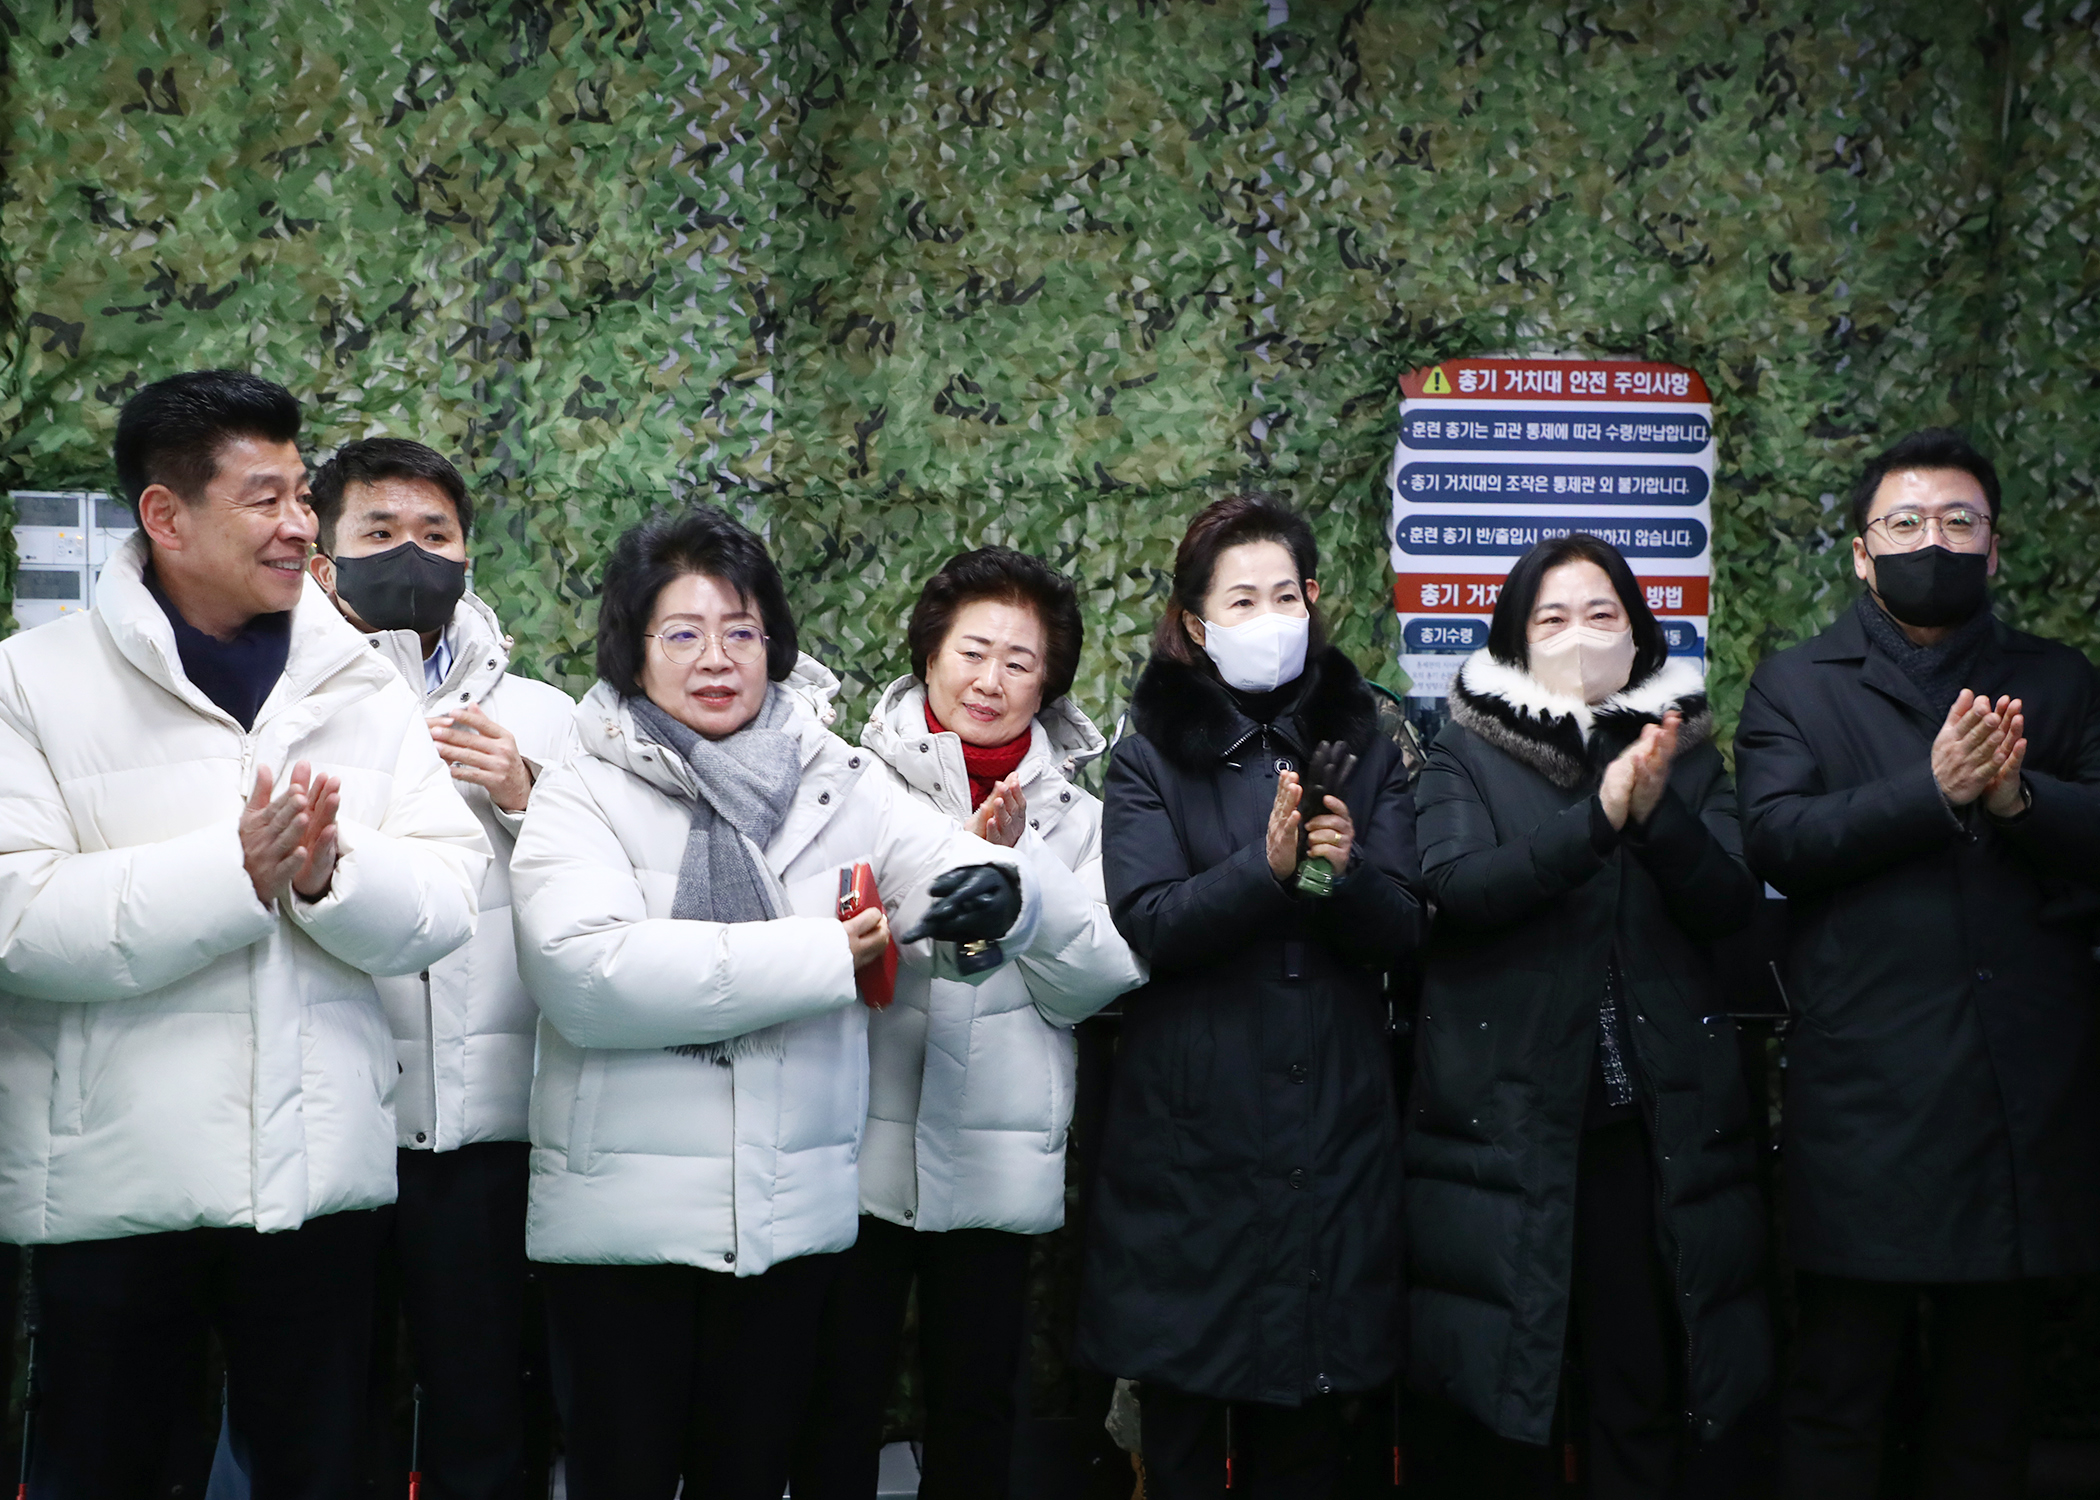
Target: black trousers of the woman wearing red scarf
{"points": [[971, 1327]]}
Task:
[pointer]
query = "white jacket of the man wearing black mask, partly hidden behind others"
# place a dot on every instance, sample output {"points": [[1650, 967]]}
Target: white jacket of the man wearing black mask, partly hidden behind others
{"points": [[465, 1026]]}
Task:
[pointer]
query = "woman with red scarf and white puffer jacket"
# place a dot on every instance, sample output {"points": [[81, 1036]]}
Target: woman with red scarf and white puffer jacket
{"points": [[971, 1089]]}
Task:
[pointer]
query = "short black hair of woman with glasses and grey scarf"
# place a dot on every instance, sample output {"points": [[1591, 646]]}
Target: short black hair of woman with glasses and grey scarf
{"points": [[665, 549]]}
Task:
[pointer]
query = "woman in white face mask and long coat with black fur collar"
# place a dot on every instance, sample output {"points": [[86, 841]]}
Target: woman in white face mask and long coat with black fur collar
{"points": [[1244, 1238]]}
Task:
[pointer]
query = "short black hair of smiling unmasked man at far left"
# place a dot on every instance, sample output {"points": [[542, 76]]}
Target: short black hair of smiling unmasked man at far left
{"points": [[171, 432]]}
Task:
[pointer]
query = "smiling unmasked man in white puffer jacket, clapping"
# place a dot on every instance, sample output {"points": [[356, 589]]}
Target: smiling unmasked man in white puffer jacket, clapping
{"points": [[219, 816]]}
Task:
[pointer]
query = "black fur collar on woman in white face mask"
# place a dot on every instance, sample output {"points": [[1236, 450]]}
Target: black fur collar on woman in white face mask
{"points": [[1194, 722]]}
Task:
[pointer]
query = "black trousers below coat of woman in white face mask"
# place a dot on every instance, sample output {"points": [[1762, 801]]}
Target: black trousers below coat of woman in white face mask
{"points": [[1278, 1453]]}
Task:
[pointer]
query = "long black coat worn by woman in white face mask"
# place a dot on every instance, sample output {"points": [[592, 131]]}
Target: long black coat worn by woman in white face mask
{"points": [[1244, 1238]]}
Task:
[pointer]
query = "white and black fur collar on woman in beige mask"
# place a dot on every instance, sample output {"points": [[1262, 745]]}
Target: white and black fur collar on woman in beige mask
{"points": [[1561, 738]]}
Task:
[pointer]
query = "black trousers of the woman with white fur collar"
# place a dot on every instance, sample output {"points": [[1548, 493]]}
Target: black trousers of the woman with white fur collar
{"points": [[1626, 1331]]}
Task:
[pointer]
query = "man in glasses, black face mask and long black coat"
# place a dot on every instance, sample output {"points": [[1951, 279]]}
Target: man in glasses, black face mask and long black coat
{"points": [[1925, 785]]}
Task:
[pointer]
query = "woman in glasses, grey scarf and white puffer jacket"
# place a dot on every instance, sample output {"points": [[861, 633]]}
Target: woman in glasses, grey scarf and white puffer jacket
{"points": [[702, 1049]]}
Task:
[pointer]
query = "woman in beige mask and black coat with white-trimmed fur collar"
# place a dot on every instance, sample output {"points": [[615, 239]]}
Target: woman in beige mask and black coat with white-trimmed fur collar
{"points": [[1580, 1163]]}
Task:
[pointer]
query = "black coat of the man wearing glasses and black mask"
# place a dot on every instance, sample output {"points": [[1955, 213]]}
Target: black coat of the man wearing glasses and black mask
{"points": [[1944, 1089]]}
